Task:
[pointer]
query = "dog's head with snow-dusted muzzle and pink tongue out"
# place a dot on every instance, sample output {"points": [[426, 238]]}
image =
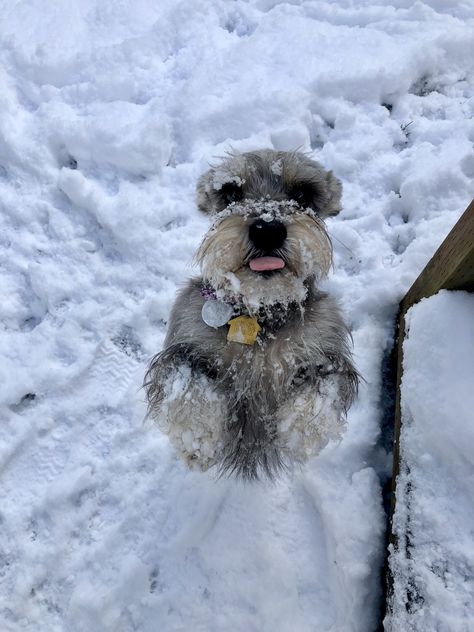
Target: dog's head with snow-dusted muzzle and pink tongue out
{"points": [[268, 239]]}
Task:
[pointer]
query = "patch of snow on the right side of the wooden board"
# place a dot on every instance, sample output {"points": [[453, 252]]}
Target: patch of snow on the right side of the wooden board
{"points": [[435, 497]]}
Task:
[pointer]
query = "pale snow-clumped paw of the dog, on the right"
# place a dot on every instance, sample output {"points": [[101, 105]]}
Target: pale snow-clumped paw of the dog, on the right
{"points": [[315, 416]]}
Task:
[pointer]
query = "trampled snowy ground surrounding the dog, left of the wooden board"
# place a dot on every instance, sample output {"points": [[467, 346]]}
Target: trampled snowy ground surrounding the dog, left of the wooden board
{"points": [[109, 113]]}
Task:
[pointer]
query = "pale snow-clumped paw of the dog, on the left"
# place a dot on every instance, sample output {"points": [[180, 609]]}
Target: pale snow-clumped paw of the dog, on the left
{"points": [[192, 414]]}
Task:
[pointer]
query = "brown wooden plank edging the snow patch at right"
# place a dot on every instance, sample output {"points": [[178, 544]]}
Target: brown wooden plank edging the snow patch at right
{"points": [[450, 268]]}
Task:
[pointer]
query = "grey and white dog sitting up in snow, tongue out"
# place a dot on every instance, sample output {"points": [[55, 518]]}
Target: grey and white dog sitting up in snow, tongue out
{"points": [[256, 372]]}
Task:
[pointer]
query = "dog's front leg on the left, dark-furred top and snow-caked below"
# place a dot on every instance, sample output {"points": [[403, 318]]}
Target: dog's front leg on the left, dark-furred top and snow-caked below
{"points": [[185, 403]]}
